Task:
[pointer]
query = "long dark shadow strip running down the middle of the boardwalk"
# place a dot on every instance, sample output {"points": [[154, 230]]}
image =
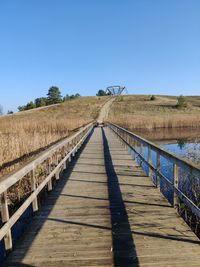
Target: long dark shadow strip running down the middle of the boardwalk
{"points": [[124, 252]]}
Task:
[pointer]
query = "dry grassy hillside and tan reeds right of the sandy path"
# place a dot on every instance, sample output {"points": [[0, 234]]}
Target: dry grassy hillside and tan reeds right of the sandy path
{"points": [[139, 112]]}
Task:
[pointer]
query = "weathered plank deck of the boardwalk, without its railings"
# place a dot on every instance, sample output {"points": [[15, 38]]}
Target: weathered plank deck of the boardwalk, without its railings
{"points": [[105, 212]]}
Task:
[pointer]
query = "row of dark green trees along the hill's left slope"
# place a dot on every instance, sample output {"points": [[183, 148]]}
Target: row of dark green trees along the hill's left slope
{"points": [[54, 96]]}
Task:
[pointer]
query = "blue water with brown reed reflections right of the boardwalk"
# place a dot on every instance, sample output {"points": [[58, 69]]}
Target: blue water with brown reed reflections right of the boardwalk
{"points": [[184, 143]]}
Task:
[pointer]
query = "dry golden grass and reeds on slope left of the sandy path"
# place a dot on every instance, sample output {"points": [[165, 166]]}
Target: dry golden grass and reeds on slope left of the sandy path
{"points": [[26, 132]]}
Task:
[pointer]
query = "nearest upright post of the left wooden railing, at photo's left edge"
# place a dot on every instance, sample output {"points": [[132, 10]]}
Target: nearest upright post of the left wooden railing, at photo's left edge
{"points": [[5, 218]]}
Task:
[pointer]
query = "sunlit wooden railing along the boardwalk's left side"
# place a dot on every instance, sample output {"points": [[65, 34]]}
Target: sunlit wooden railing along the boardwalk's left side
{"points": [[54, 161]]}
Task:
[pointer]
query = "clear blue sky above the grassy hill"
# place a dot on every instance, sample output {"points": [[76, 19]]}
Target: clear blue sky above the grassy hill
{"points": [[150, 46]]}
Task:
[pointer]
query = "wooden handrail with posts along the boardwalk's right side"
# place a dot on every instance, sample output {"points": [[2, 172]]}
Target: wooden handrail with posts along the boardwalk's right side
{"points": [[130, 139]]}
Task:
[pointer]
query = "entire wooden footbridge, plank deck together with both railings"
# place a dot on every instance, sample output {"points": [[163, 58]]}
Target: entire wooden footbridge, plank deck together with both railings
{"points": [[102, 208]]}
